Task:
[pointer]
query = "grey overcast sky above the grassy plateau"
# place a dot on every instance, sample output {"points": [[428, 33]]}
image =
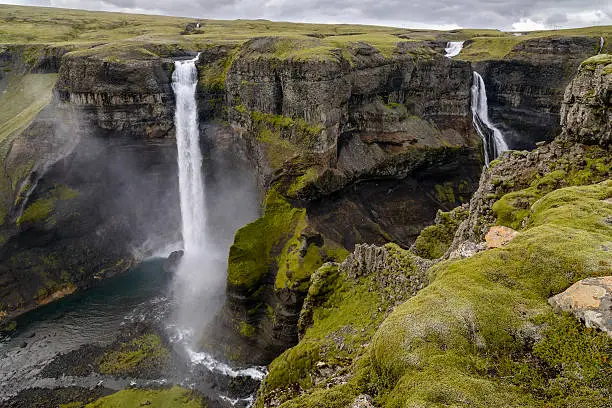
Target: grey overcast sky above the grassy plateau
{"points": [[443, 14]]}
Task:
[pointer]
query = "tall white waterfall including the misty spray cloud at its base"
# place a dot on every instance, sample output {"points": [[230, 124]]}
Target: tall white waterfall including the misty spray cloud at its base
{"points": [[199, 282]]}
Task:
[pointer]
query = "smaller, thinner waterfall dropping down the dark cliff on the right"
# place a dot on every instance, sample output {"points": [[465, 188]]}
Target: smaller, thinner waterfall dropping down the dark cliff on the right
{"points": [[492, 138]]}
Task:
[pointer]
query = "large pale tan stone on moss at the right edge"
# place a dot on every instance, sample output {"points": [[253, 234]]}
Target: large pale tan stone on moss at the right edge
{"points": [[590, 300]]}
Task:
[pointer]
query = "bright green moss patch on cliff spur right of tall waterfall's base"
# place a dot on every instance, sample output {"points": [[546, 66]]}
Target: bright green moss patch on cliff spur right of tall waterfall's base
{"points": [[250, 256]]}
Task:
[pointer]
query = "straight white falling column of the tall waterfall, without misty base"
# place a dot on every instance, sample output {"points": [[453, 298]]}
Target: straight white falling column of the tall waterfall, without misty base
{"points": [[191, 184]]}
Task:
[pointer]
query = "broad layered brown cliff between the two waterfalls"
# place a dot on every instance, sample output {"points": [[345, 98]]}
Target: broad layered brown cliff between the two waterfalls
{"points": [[363, 116]]}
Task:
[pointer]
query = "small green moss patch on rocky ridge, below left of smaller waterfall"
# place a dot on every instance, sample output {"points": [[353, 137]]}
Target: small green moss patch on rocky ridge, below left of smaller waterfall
{"points": [[434, 241]]}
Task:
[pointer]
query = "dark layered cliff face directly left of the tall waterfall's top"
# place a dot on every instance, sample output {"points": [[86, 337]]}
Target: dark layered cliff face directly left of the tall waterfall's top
{"points": [[132, 96]]}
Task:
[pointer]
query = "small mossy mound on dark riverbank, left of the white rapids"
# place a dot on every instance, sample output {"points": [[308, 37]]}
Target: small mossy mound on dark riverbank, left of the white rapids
{"points": [[142, 352]]}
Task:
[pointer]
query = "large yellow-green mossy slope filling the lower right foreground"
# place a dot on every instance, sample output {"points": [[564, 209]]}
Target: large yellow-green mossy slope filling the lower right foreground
{"points": [[482, 333]]}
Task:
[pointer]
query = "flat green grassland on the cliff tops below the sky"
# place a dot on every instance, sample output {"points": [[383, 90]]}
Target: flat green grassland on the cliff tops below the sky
{"points": [[102, 31]]}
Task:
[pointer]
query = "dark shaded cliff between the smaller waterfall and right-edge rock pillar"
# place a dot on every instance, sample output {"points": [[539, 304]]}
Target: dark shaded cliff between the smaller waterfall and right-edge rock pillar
{"points": [[526, 89]]}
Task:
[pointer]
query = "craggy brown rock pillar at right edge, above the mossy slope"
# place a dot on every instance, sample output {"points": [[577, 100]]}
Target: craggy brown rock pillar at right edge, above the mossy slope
{"points": [[587, 106]]}
